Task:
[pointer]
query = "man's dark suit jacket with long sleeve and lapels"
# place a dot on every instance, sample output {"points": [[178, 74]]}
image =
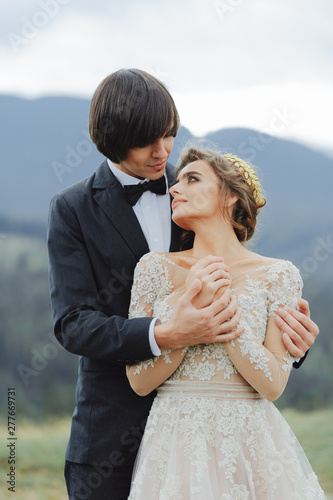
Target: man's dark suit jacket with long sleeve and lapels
{"points": [[94, 244]]}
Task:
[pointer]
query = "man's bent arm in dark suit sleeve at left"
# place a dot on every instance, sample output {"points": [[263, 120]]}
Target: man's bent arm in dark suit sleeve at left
{"points": [[79, 326]]}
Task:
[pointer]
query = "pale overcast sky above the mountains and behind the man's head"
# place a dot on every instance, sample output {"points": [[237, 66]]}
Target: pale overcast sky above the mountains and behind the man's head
{"points": [[263, 64]]}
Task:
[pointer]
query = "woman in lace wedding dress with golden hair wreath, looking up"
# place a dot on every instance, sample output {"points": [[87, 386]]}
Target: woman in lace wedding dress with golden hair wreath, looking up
{"points": [[213, 432]]}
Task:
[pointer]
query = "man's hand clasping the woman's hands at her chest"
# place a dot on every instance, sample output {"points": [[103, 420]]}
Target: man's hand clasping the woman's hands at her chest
{"points": [[190, 326]]}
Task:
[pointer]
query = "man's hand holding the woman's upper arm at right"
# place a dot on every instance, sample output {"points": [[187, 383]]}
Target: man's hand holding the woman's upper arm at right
{"points": [[299, 331]]}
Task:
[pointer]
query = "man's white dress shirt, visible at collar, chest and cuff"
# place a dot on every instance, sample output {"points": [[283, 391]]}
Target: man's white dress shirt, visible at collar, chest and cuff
{"points": [[154, 215]]}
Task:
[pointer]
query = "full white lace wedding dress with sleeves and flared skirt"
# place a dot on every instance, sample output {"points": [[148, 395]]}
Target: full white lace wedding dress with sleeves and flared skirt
{"points": [[210, 435]]}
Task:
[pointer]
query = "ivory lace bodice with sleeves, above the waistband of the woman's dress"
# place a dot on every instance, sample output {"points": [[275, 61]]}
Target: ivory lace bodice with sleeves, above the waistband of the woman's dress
{"points": [[159, 282]]}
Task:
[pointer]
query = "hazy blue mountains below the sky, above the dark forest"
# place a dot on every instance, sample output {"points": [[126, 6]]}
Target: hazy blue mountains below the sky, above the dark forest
{"points": [[45, 146]]}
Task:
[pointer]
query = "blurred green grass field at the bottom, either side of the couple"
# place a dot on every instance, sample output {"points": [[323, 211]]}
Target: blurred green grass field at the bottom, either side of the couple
{"points": [[40, 454]]}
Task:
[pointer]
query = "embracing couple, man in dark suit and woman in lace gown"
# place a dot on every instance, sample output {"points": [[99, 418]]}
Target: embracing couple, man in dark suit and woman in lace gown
{"points": [[175, 321]]}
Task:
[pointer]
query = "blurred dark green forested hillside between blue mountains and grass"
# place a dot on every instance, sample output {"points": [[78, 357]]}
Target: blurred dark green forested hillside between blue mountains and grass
{"points": [[44, 374]]}
